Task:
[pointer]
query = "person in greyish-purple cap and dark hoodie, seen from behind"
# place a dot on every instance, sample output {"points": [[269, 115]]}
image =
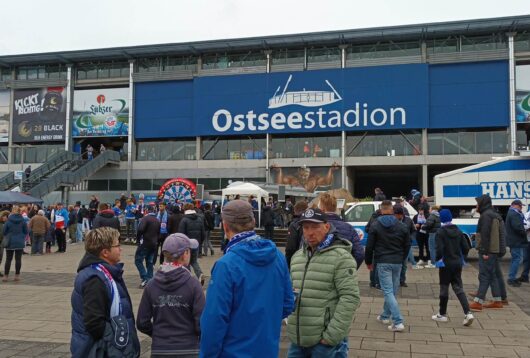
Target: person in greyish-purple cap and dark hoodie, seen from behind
{"points": [[172, 302]]}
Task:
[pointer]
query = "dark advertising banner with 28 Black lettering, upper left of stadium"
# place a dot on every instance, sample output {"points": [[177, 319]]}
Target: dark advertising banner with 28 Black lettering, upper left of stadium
{"points": [[39, 115]]}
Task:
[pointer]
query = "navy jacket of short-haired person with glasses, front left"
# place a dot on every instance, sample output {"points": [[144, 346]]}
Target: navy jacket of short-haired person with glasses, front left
{"points": [[81, 340]]}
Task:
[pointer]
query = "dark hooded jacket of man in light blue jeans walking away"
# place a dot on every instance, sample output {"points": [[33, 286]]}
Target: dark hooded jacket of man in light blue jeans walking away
{"points": [[388, 241]]}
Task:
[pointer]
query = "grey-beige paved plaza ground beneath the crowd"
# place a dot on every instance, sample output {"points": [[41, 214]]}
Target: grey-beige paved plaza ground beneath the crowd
{"points": [[35, 315]]}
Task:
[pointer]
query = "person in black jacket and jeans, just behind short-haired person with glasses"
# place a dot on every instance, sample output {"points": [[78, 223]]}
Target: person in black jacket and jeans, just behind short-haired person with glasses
{"points": [[147, 241]]}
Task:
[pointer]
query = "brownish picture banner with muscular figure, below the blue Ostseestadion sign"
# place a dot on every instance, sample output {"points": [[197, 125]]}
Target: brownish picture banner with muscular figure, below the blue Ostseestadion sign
{"points": [[309, 178]]}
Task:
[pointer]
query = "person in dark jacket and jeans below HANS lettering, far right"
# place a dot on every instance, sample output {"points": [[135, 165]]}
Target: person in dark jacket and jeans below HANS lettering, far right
{"points": [[515, 239]]}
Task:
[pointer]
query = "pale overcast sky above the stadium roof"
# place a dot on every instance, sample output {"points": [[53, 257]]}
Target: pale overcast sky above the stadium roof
{"points": [[30, 26]]}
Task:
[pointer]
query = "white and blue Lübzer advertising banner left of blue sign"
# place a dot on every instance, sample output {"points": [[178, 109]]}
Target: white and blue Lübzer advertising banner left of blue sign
{"points": [[101, 113]]}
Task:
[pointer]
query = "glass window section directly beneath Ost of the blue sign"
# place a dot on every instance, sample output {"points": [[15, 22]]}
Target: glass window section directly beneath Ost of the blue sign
{"points": [[234, 148]]}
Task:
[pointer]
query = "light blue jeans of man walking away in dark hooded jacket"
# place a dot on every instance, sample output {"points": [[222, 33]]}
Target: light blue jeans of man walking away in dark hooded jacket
{"points": [[389, 280]]}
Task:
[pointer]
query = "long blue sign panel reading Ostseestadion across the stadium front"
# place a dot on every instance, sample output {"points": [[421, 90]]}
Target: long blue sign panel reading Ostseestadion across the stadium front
{"points": [[398, 97]]}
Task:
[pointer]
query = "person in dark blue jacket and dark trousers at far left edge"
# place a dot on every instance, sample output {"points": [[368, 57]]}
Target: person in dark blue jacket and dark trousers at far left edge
{"points": [[15, 231]]}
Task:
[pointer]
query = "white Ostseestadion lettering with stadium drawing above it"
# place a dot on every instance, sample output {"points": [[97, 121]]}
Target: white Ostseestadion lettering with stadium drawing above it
{"points": [[359, 116]]}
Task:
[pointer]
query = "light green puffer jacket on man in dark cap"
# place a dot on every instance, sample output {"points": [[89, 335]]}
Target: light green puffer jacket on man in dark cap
{"points": [[328, 294]]}
